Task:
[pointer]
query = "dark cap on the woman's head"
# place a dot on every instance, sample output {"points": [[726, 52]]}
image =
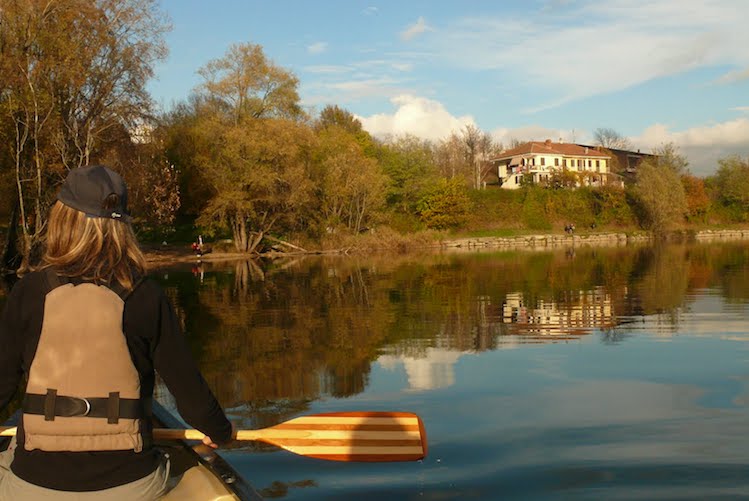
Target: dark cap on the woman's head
{"points": [[97, 191]]}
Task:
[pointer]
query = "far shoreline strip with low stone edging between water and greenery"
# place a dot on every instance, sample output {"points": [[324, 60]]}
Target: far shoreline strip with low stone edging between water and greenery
{"points": [[169, 254]]}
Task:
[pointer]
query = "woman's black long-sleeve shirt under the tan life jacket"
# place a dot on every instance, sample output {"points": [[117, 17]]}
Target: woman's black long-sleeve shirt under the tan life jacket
{"points": [[156, 343]]}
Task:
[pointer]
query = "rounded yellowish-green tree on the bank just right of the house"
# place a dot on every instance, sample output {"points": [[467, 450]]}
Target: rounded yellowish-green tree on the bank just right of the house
{"points": [[660, 191]]}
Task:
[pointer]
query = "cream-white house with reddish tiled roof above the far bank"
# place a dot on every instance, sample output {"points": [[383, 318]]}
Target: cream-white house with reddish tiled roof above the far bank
{"points": [[541, 159]]}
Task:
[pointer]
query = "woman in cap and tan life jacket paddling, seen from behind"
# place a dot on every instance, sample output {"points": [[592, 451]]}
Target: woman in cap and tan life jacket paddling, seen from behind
{"points": [[88, 334]]}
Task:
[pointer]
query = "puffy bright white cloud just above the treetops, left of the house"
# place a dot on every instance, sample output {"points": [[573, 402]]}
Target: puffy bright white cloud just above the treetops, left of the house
{"points": [[419, 116]]}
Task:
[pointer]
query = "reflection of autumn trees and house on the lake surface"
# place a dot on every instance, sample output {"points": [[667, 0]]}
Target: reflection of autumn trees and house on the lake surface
{"points": [[300, 330]]}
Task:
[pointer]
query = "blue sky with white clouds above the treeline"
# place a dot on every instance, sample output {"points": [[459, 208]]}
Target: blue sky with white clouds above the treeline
{"points": [[655, 71]]}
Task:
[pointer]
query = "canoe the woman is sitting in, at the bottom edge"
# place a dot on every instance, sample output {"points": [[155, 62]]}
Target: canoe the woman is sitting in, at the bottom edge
{"points": [[202, 474]]}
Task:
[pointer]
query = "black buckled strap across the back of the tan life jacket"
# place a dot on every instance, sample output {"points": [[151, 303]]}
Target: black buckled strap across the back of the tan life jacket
{"points": [[51, 405]]}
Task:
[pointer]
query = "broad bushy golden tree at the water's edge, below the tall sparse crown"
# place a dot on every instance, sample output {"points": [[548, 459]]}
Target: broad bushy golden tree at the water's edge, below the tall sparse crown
{"points": [[259, 175]]}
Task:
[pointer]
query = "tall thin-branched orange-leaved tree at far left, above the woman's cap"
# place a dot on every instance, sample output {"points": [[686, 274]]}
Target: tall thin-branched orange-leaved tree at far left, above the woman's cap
{"points": [[71, 71]]}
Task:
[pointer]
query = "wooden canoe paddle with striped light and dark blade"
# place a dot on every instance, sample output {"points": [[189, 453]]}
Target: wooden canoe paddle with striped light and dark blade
{"points": [[337, 436]]}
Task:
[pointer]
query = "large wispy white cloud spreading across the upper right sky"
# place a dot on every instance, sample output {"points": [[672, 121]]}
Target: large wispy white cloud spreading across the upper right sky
{"points": [[591, 47]]}
